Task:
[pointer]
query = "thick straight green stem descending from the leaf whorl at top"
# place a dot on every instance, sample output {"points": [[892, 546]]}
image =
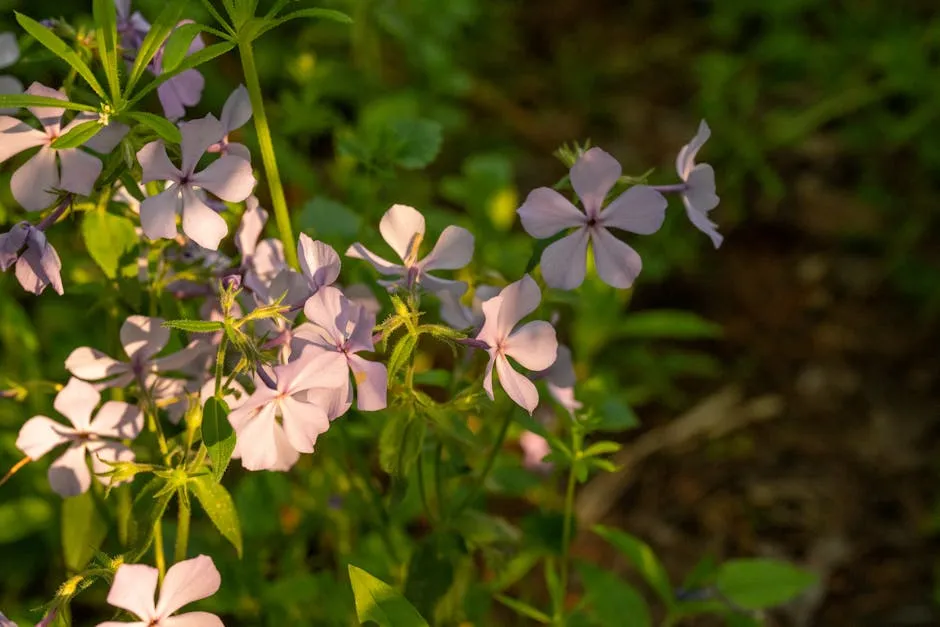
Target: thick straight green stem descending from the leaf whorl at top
{"points": [[275, 188]]}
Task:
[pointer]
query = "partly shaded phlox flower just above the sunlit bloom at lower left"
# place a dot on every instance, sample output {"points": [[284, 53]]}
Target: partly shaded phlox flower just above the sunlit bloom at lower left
{"points": [[142, 338]]}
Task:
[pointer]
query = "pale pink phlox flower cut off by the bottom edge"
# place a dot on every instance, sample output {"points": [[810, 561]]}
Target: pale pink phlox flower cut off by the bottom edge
{"points": [[135, 586]]}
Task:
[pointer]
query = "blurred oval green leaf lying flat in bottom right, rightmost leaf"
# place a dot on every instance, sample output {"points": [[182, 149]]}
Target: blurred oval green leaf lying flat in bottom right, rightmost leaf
{"points": [[760, 583]]}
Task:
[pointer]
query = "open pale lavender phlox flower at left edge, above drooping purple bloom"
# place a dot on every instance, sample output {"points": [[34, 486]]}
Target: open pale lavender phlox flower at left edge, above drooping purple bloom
{"points": [[69, 169]]}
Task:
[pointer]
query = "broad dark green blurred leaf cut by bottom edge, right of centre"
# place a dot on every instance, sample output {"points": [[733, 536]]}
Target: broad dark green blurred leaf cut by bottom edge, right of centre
{"points": [[611, 600]]}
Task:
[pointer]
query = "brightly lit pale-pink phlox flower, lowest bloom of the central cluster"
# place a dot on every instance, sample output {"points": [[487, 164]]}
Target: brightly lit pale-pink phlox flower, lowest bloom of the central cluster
{"points": [[264, 443]]}
